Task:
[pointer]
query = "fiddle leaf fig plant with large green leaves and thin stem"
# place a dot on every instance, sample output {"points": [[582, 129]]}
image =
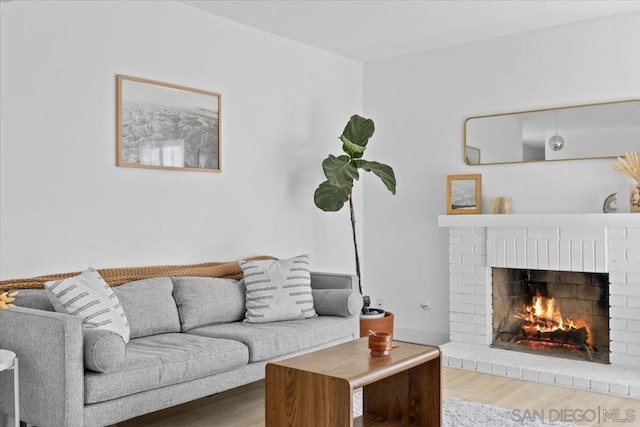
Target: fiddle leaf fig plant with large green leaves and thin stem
{"points": [[341, 171]]}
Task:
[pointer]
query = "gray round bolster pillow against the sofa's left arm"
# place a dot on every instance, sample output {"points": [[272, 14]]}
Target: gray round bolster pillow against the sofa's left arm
{"points": [[103, 350]]}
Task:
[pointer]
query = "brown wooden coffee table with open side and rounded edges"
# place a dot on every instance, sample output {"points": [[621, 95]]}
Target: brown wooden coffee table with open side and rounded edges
{"points": [[316, 389]]}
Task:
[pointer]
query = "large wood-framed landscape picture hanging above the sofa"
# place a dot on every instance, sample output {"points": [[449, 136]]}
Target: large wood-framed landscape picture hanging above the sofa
{"points": [[166, 126]]}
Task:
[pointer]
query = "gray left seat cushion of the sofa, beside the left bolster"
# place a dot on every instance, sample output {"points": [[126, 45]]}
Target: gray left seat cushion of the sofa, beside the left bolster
{"points": [[160, 360]]}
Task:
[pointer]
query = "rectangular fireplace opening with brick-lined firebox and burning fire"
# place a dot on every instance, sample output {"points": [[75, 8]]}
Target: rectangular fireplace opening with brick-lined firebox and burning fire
{"points": [[564, 314]]}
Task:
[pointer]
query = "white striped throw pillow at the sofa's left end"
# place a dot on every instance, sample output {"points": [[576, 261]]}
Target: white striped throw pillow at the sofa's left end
{"points": [[90, 298]]}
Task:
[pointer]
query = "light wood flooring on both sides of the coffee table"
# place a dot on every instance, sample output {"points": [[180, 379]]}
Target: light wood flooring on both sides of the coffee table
{"points": [[244, 406]]}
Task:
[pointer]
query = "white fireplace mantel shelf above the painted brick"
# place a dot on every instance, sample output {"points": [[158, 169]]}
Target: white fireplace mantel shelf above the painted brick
{"points": [[541, 220]]}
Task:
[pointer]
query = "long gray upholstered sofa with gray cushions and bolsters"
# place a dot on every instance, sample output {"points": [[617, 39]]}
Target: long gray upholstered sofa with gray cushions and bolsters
{"points": [[188, 341]]}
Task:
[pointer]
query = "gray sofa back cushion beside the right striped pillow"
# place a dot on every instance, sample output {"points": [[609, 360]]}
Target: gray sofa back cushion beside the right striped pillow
{"points": [[205, 301]]}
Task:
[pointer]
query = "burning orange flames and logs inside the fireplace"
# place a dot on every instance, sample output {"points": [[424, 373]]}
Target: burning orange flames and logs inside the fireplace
{"points": [[544, 315]]}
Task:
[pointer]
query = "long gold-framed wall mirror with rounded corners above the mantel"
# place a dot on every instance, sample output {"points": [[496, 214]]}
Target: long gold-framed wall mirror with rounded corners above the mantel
{"points": [[477, 154]]}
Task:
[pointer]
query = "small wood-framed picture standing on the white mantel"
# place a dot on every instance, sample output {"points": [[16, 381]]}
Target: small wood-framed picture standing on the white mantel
{"points": [[464, 194]]}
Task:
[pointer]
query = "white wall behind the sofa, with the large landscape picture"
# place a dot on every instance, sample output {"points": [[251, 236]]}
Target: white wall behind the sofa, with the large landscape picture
{"points": [[64, 204]]}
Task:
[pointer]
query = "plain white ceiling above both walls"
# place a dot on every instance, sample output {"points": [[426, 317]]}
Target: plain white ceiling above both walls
{"points": [[375, 30]]}
